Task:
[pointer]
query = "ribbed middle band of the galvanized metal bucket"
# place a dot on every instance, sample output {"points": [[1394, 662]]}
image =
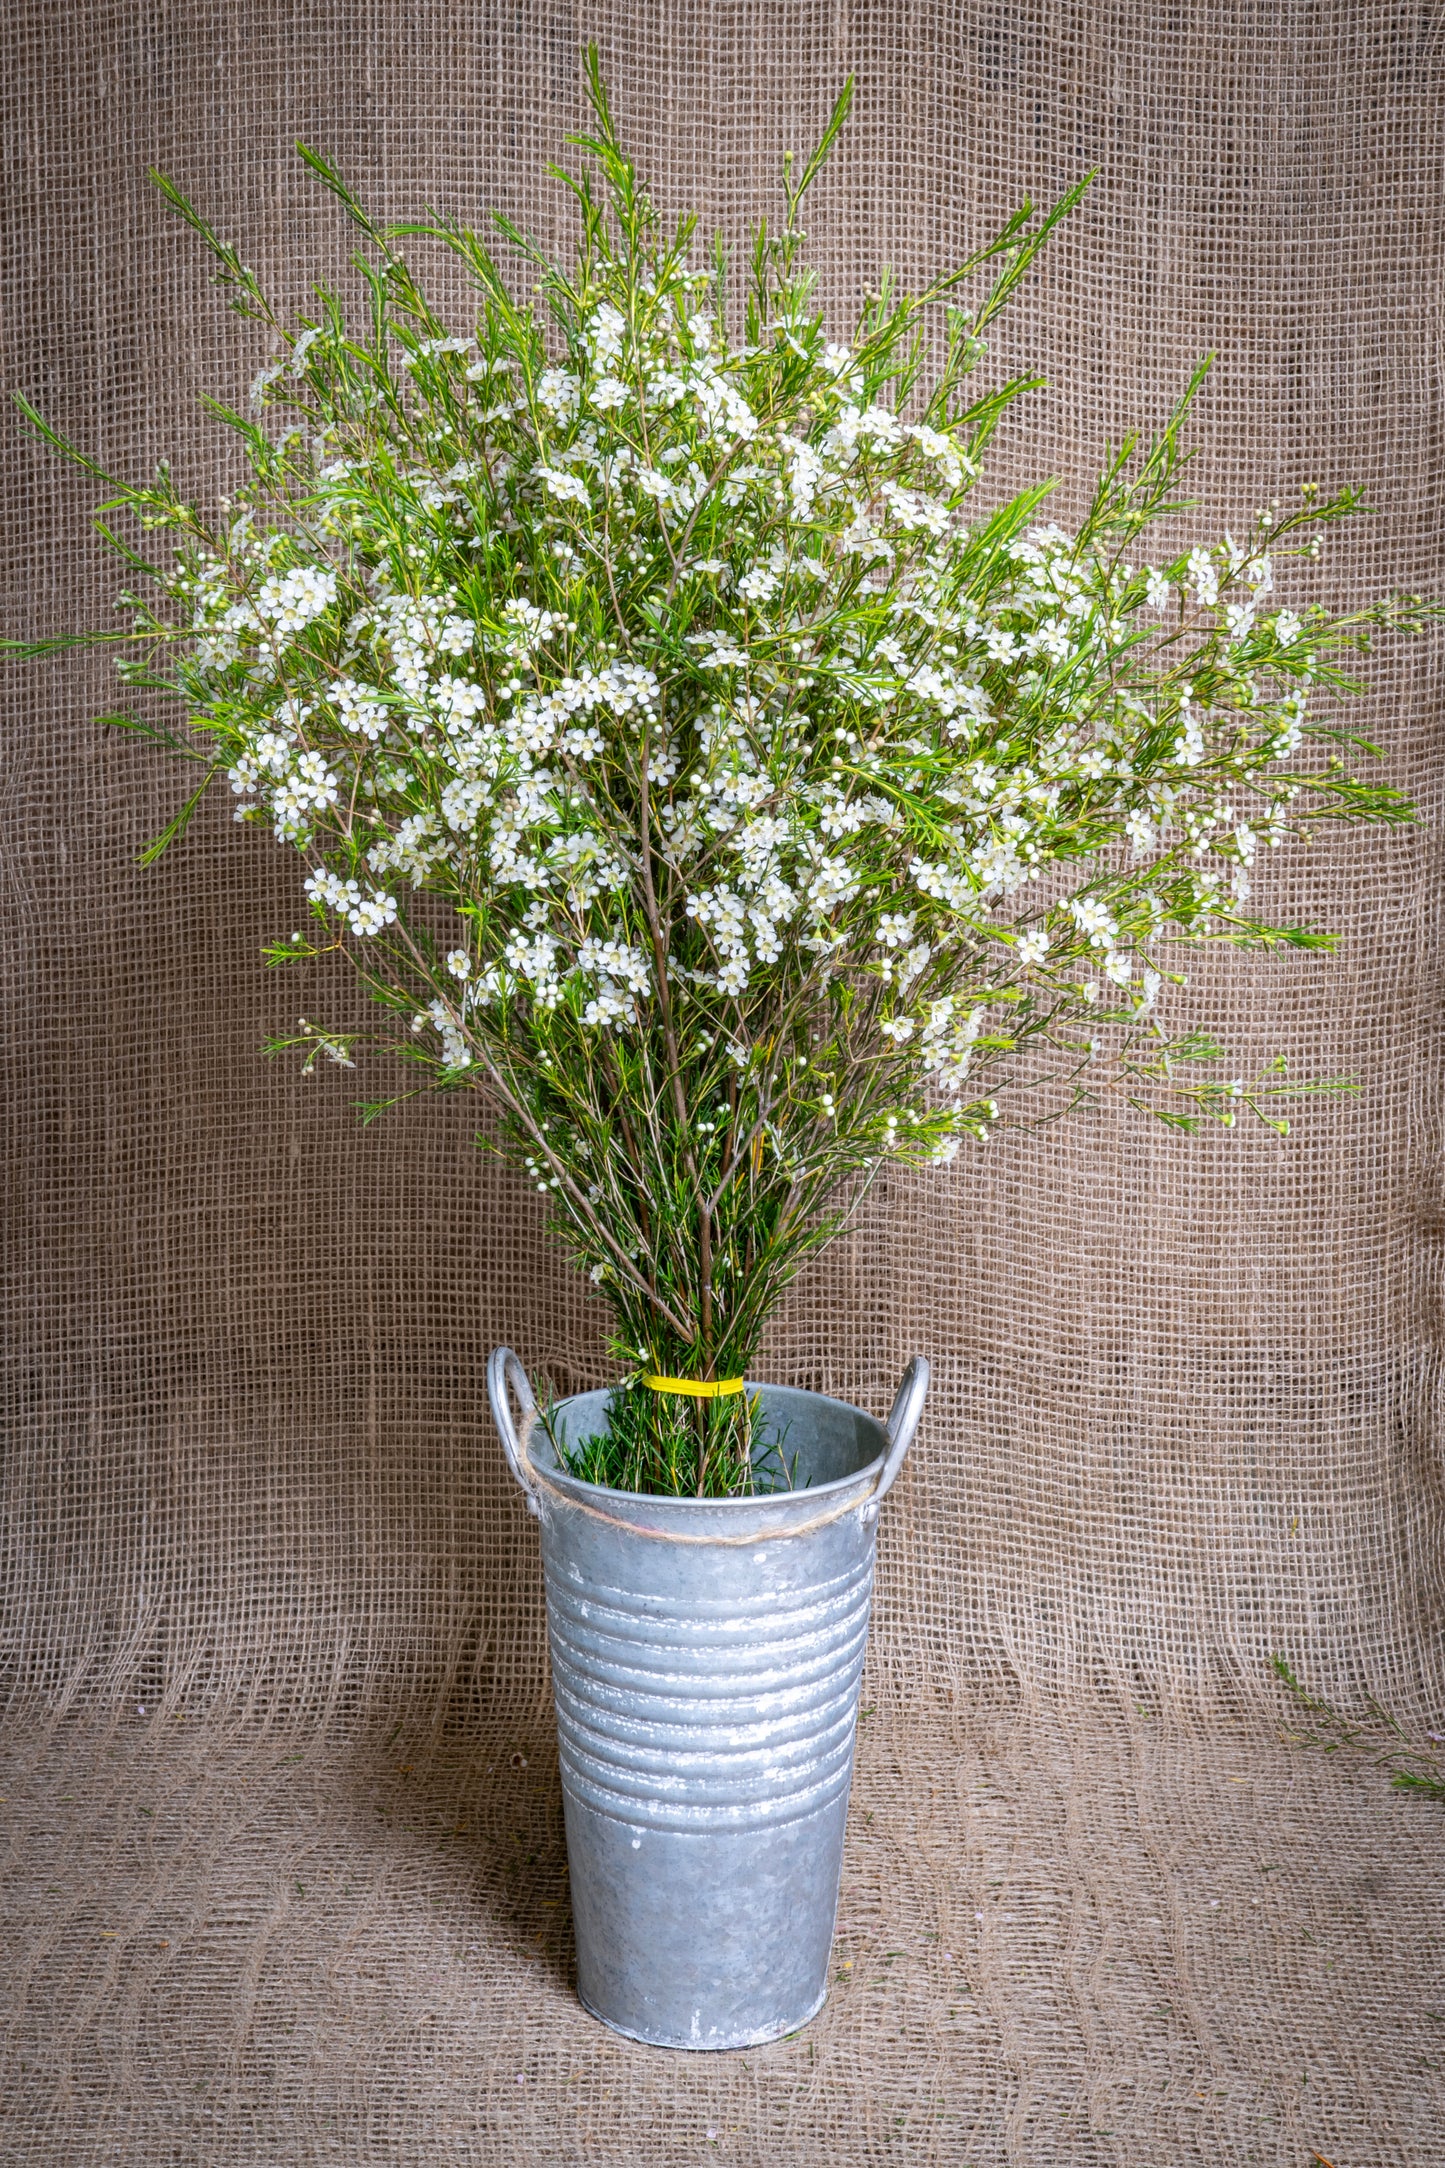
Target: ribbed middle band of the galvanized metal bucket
{"points": [[718, 1714]]}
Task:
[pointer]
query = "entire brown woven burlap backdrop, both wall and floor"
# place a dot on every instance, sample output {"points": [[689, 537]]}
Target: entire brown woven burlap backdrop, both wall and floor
{"points": [[283, 1835]]}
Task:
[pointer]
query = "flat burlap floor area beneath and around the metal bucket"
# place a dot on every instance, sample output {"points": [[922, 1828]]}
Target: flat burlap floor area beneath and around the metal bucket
{"points": [[1060, 1941]]}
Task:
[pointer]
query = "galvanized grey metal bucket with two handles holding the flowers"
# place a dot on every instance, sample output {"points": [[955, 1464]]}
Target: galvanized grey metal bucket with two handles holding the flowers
{"points": [[705, 1662]]}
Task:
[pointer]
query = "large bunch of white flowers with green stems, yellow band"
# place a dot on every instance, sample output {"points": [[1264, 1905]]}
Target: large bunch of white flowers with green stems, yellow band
{"points": [[703, 771]]}
